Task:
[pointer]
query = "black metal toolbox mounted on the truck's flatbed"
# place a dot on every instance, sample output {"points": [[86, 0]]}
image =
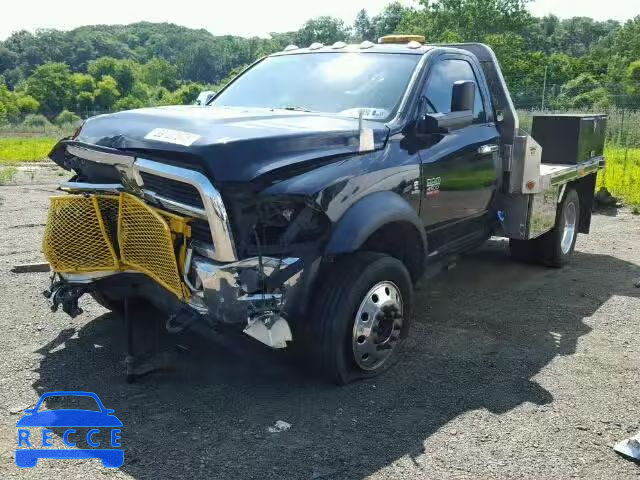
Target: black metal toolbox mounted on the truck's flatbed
{"points": [[569, 138]]}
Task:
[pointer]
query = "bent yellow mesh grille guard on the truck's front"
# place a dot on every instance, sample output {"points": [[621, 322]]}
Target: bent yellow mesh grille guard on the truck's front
{"points": [[92, 233]]}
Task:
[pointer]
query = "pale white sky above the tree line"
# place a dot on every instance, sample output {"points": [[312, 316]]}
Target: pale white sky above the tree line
{"points": [[246, 17]]}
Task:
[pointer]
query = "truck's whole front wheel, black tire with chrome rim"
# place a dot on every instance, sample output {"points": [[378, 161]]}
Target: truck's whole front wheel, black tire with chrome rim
{"points": [[360, 316]]}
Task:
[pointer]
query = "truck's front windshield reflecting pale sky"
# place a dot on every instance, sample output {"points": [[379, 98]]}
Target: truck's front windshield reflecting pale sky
{"points": [[344, 83]]}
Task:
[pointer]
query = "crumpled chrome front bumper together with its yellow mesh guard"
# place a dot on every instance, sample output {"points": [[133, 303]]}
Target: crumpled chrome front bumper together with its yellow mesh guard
{"points": [[108, 243]]}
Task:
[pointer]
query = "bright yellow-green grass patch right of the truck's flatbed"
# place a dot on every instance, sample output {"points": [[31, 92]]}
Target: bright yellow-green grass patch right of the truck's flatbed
{"points": [[621, 175]]}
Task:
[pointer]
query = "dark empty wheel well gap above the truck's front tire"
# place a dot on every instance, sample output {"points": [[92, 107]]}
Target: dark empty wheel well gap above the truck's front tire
{"points": [[402, 241]]}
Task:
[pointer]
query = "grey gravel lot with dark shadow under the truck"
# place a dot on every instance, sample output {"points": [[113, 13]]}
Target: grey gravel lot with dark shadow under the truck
{"points": [[511, 372]]}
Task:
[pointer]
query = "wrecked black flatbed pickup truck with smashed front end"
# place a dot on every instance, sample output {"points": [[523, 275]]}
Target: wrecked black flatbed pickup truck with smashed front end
{"points": [[303, 203]]}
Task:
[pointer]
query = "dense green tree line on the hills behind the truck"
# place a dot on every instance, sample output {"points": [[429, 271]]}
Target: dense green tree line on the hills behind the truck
{"points": [[577, 63]]}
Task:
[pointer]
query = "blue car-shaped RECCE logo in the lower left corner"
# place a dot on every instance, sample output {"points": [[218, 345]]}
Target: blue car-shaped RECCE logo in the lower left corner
{"points": [[69, 419]]}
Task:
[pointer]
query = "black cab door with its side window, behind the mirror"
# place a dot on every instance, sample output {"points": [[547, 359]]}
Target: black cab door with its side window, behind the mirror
{"points": [[459, 169]]}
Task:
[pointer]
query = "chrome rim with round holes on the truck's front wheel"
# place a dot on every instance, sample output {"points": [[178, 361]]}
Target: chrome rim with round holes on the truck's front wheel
{"points": [[377, 326]]}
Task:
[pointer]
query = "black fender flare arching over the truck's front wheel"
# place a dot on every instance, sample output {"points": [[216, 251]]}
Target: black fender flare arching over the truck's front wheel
{"points": [[366, 216]]}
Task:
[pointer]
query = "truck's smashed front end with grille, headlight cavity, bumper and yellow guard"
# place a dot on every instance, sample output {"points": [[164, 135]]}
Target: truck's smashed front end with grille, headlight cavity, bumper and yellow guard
{"points": [[163, 233]]}
